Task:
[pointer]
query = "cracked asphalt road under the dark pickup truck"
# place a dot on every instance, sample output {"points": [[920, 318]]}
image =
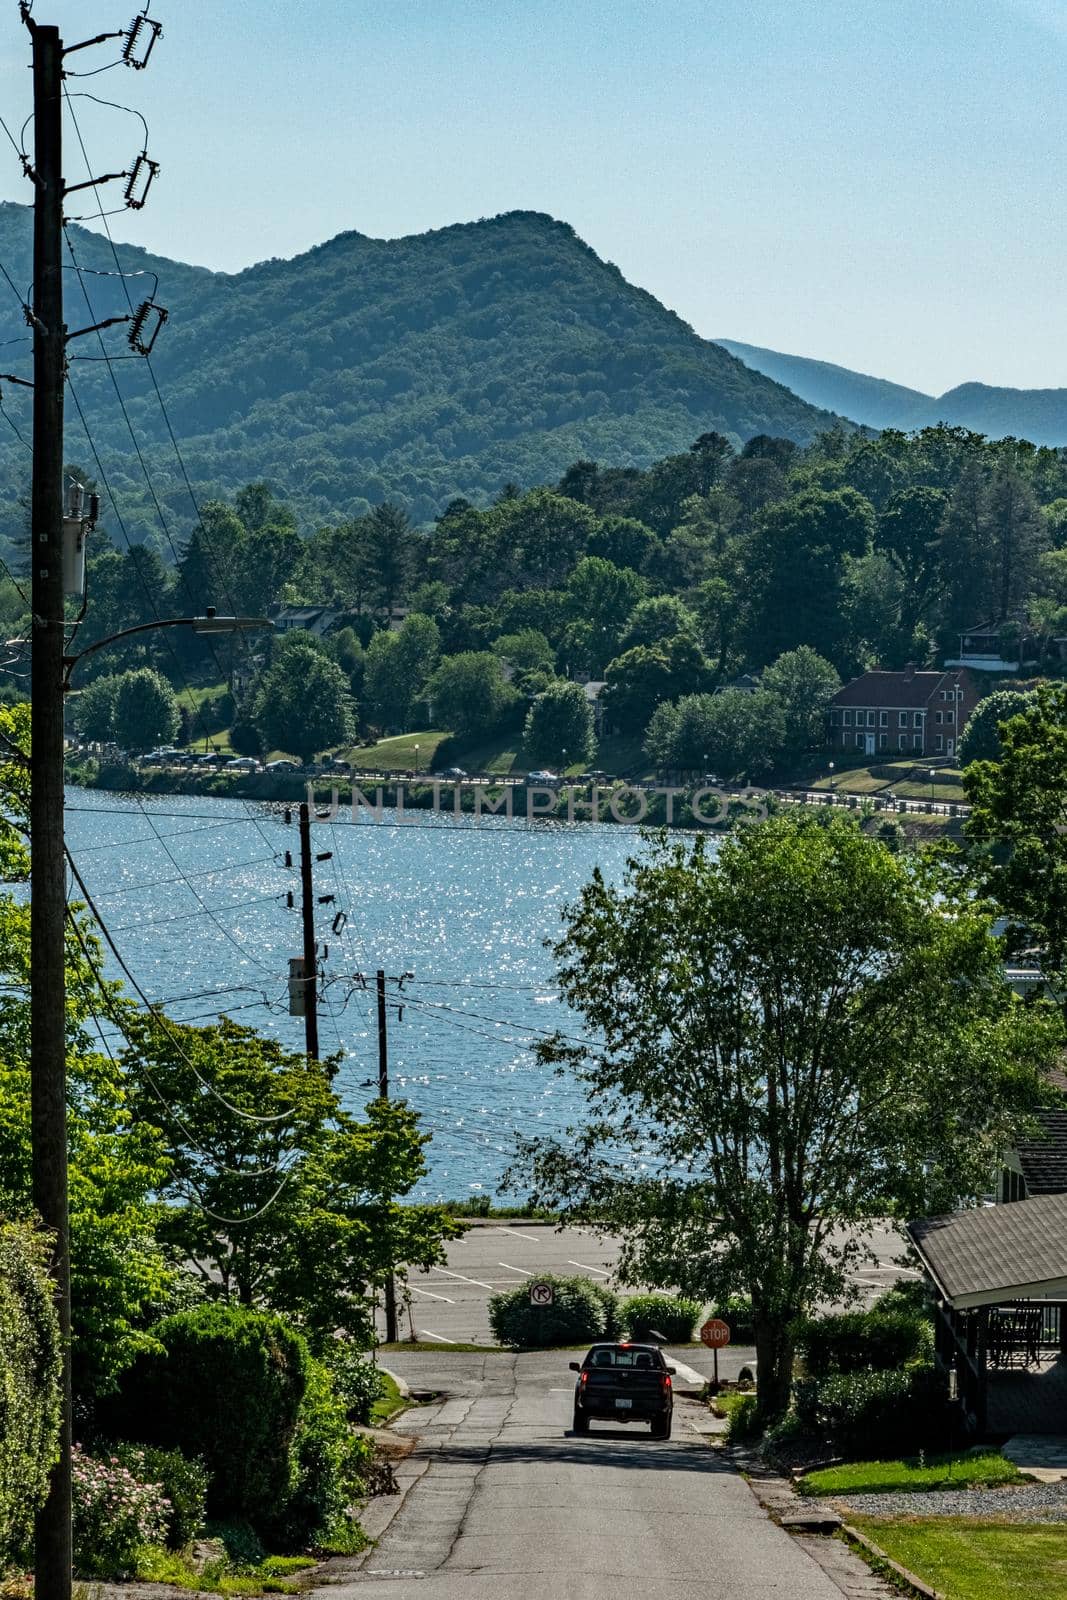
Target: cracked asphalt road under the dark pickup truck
{"points": [[505, 1502]]}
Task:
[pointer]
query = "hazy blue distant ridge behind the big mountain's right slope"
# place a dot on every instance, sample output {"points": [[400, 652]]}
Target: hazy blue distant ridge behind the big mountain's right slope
{"points": [[1039, 415]]}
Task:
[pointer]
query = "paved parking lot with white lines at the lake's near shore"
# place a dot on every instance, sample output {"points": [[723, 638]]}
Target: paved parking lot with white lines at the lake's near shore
{"points": [[450, 1305]]}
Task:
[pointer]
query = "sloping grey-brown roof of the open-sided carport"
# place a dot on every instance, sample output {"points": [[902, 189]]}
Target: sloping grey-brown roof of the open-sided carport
{"points": [[999, 1254]]}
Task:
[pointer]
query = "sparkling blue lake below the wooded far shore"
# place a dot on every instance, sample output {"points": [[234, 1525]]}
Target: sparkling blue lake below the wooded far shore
{"points": [[194, 894]]}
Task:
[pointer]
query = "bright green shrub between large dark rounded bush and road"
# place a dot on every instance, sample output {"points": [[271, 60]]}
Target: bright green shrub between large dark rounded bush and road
{"points": [[329, 1462]]}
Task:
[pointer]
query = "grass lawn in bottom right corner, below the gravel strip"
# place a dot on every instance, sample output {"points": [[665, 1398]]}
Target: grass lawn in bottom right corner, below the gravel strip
{"points": [[978, 1561]]}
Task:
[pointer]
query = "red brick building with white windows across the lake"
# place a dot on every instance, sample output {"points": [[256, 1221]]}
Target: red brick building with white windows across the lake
{"points": [[903, 713]]}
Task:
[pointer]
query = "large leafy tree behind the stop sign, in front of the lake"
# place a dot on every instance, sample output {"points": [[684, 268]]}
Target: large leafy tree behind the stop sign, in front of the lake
{"points": [[805, 1042]]}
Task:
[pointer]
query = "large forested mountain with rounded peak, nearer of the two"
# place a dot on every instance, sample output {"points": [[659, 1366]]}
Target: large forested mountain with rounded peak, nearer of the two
{"points": [[415, 369]]}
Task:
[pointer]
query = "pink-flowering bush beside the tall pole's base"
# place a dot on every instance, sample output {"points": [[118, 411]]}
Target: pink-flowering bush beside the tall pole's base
{"points": [[114, 1516]]}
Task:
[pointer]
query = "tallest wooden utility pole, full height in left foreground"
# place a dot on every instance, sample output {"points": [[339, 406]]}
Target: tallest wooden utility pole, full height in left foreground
{"points": [[49, 890]]}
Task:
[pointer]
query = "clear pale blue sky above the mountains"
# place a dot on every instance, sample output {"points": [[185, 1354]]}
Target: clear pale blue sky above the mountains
{"points": [[874, 183]]}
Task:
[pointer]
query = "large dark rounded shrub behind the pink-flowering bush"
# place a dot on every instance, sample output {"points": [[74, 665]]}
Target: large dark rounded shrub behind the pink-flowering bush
{"points": [[226, 1386]]}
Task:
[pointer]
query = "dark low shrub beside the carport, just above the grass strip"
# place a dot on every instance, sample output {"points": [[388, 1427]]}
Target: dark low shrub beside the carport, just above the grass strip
{"points": [[876, 1414]]}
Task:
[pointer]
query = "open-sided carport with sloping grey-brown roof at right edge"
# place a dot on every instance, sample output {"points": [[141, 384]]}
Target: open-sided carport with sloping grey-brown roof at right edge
{"points": [[1001, 1327]]}
